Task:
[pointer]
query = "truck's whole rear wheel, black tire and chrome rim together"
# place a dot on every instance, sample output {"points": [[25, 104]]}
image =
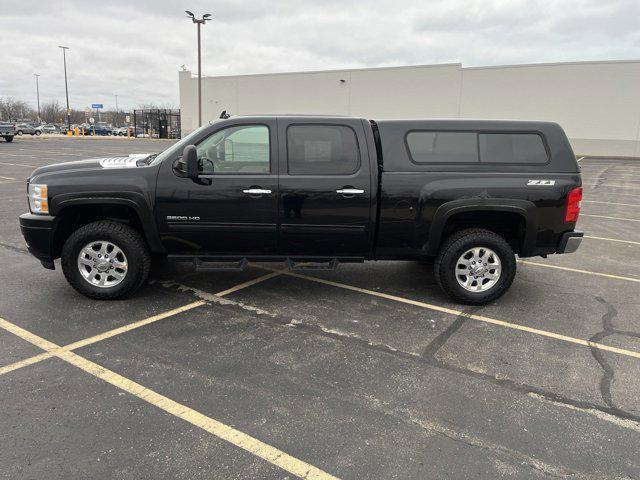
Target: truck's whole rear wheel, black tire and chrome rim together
{"points": [[475, 266]]}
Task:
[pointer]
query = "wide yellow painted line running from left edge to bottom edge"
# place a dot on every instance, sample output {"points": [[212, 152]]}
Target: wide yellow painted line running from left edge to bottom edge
{"points": [[240, 439]]}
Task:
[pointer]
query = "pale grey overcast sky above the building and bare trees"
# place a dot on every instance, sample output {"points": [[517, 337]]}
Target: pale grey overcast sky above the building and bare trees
{"points": [[135, 48]]}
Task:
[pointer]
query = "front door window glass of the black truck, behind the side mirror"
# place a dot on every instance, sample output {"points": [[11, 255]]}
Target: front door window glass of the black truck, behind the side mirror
{"points": [[243, 149]]}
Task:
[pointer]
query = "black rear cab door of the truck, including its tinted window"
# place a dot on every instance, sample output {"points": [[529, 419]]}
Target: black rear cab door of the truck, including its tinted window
{"points": [[325, 188]]}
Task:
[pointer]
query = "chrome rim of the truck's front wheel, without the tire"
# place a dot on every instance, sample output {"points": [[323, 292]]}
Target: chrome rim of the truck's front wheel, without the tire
{"points": [[102, 264]]}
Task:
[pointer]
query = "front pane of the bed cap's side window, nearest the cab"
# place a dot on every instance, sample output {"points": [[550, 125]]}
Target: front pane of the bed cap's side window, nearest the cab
{"points": [[443, 147]]}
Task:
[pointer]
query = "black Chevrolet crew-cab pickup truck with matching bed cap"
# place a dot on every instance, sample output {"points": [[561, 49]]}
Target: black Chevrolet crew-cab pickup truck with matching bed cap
{"points": [[314, 192]]}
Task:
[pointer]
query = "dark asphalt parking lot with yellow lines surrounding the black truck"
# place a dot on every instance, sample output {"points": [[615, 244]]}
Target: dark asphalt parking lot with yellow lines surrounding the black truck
{"points": [[368, 372]]}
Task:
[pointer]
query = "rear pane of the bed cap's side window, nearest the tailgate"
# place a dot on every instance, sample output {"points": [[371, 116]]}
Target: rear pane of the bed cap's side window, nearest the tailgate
{"points": [[512, 148]]}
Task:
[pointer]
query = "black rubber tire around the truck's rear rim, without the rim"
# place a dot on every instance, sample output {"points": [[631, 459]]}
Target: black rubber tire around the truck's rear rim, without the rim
{"points": [[455, 246]]}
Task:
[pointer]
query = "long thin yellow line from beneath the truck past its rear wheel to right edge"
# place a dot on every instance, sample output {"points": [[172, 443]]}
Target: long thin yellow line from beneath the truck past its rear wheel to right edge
{"points": [[481, 318]]}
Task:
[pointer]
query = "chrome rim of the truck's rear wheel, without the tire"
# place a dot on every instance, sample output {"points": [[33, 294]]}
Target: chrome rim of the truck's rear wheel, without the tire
{"points": [[478, 269]]}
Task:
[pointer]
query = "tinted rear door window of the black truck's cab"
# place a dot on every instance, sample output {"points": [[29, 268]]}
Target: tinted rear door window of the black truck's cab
{"points": [[322, 149]]}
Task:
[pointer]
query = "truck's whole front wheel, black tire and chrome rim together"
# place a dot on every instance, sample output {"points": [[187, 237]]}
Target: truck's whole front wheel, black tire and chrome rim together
{"points": [[105, 260]]}
